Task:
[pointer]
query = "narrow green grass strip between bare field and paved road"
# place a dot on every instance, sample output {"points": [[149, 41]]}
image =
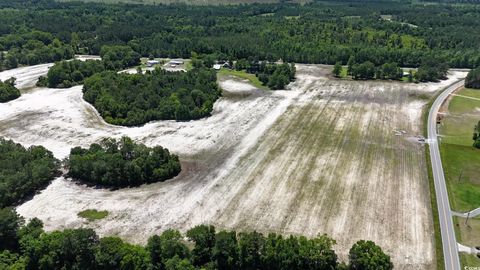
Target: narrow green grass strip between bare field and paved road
{"points": [[440, 261]]}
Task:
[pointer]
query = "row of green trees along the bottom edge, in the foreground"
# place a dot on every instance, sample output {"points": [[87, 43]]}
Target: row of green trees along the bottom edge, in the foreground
{"points": [[28, 246]]}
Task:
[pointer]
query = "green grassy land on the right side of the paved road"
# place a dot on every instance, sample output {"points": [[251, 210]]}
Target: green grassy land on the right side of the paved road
{"points": [[461, 162]]}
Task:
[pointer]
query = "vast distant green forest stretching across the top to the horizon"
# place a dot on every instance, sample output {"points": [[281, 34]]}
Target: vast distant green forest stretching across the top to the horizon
{"points": [[318, 32]]}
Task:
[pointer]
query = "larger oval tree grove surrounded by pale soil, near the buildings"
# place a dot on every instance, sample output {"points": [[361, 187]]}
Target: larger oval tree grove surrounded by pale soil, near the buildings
{"points": [[135, 99]]}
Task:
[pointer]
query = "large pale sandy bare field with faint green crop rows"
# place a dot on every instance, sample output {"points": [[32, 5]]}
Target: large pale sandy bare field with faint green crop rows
{"points": [[326, 156]]}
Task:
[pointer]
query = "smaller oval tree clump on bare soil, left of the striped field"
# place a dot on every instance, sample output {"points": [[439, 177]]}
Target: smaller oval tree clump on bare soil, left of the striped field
{"points": [[122, 163]]}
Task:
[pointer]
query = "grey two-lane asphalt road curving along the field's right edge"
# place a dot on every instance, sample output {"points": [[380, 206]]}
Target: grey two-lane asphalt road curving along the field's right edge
{"points": [[450, 248]]}
